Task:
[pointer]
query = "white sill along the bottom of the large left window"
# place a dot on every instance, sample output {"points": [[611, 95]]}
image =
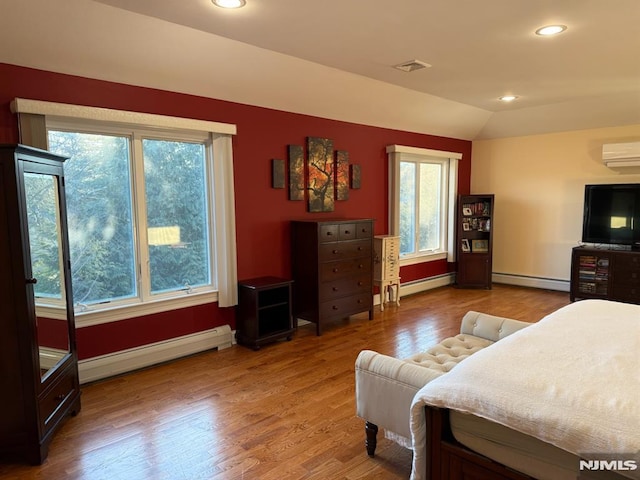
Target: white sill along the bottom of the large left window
{"points": [[108, 314]]}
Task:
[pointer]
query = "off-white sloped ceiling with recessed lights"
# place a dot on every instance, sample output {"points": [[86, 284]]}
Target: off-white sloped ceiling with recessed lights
{"points": [[334, 58]]}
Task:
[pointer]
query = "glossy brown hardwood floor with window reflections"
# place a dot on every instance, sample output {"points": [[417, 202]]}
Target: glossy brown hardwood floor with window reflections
{"points": [[284, 412]]}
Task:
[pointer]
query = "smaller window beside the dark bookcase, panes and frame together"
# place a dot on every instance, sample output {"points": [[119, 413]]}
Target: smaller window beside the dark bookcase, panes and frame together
{"points": [[422, 198]]}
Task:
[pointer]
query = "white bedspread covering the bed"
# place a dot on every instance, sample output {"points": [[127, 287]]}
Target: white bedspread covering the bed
{"points": [[572, 380]]}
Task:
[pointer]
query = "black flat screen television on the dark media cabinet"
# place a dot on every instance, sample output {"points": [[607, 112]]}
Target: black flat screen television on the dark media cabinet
{"points": [[612, 214]]}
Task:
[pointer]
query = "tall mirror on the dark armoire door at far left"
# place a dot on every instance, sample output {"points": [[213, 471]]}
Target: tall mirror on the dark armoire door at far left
{"points": [[45, 244]]}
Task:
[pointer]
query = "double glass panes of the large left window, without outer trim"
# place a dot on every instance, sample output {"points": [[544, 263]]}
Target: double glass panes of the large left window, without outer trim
{"points": [[138, 211]]}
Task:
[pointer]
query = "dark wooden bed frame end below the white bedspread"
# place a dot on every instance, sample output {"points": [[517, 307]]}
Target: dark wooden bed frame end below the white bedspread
{"points": [[448, 459]]}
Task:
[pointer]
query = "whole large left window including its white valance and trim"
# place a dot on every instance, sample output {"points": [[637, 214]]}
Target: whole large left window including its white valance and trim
{"points": [[142, 194]]}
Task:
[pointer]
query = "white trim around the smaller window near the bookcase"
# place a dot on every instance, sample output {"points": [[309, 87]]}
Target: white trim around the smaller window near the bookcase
{"points": [[398, 153]]}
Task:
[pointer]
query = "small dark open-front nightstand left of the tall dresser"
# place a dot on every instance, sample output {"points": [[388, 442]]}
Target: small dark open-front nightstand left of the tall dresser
{"points": [[263, 313]]}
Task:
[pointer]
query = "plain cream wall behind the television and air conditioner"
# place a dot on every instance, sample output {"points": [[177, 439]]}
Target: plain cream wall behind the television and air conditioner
{"points": [[539, 183]]}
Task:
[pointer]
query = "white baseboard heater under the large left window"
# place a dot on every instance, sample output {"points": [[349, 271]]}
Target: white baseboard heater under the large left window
{"points": [[98, 368]]}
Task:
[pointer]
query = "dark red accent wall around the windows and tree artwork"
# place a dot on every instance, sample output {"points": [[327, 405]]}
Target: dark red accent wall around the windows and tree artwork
{"points": [[262, 213]]}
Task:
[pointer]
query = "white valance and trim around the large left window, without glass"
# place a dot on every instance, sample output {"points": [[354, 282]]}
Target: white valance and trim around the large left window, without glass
{"points": [[224, 240]]}
